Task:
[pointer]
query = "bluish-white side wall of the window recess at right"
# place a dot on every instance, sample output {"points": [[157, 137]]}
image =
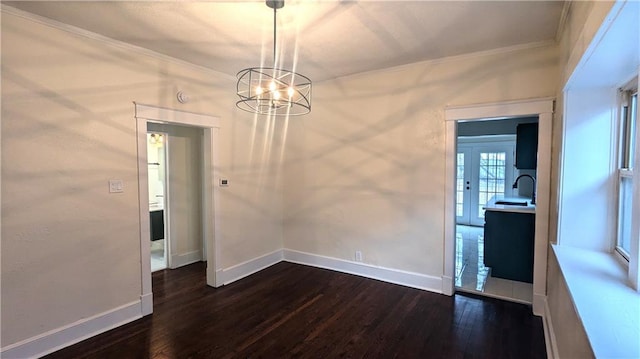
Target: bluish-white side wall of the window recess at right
{"points": [[588, 175]]}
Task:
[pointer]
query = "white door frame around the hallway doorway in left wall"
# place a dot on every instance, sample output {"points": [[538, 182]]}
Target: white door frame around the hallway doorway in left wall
{"points": [[210, 205]]}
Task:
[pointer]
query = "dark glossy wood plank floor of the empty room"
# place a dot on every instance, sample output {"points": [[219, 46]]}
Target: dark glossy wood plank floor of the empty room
{"points": [[291, 310]]}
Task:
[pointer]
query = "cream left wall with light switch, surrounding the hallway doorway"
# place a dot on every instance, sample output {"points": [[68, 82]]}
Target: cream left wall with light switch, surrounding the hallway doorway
{"points": [[71, 250]]}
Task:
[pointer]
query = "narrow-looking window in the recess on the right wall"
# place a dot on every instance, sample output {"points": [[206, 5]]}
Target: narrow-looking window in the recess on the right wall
{"points": [[626, 155]]}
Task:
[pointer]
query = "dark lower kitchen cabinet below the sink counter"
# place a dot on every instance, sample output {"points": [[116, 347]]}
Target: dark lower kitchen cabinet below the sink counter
{"points": [[509, 244]]}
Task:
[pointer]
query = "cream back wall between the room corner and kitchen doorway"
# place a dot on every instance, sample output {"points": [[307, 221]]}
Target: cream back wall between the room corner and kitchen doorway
{"points": [[365, 170]]}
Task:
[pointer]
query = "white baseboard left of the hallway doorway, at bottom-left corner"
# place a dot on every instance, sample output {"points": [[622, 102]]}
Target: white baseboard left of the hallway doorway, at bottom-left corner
{"points": [[70, 334]]}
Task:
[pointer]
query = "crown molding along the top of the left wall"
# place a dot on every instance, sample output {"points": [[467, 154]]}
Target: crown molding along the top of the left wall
{"points": [[106, 40]]}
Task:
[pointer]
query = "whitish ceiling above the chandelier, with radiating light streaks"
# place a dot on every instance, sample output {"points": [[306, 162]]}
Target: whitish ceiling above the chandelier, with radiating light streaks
{"points": [[323, 39]]}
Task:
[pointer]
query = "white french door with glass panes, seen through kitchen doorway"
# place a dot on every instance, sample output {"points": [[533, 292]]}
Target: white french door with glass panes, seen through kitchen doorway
{"points": [[482, 171]]}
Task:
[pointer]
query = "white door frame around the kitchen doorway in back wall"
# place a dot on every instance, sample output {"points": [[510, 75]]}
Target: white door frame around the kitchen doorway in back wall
{"points": [[543, 108]]}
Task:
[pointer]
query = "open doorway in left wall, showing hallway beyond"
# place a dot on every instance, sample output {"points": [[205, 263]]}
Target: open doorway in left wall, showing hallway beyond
{"points": [[176, 213]]}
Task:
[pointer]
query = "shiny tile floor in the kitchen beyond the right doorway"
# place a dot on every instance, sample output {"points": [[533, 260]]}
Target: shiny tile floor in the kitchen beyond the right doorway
{"points": [[472, 276]]}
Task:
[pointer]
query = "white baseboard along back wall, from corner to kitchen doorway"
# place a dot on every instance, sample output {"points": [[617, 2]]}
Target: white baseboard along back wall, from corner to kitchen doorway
{"points": [[409, 279]]}
